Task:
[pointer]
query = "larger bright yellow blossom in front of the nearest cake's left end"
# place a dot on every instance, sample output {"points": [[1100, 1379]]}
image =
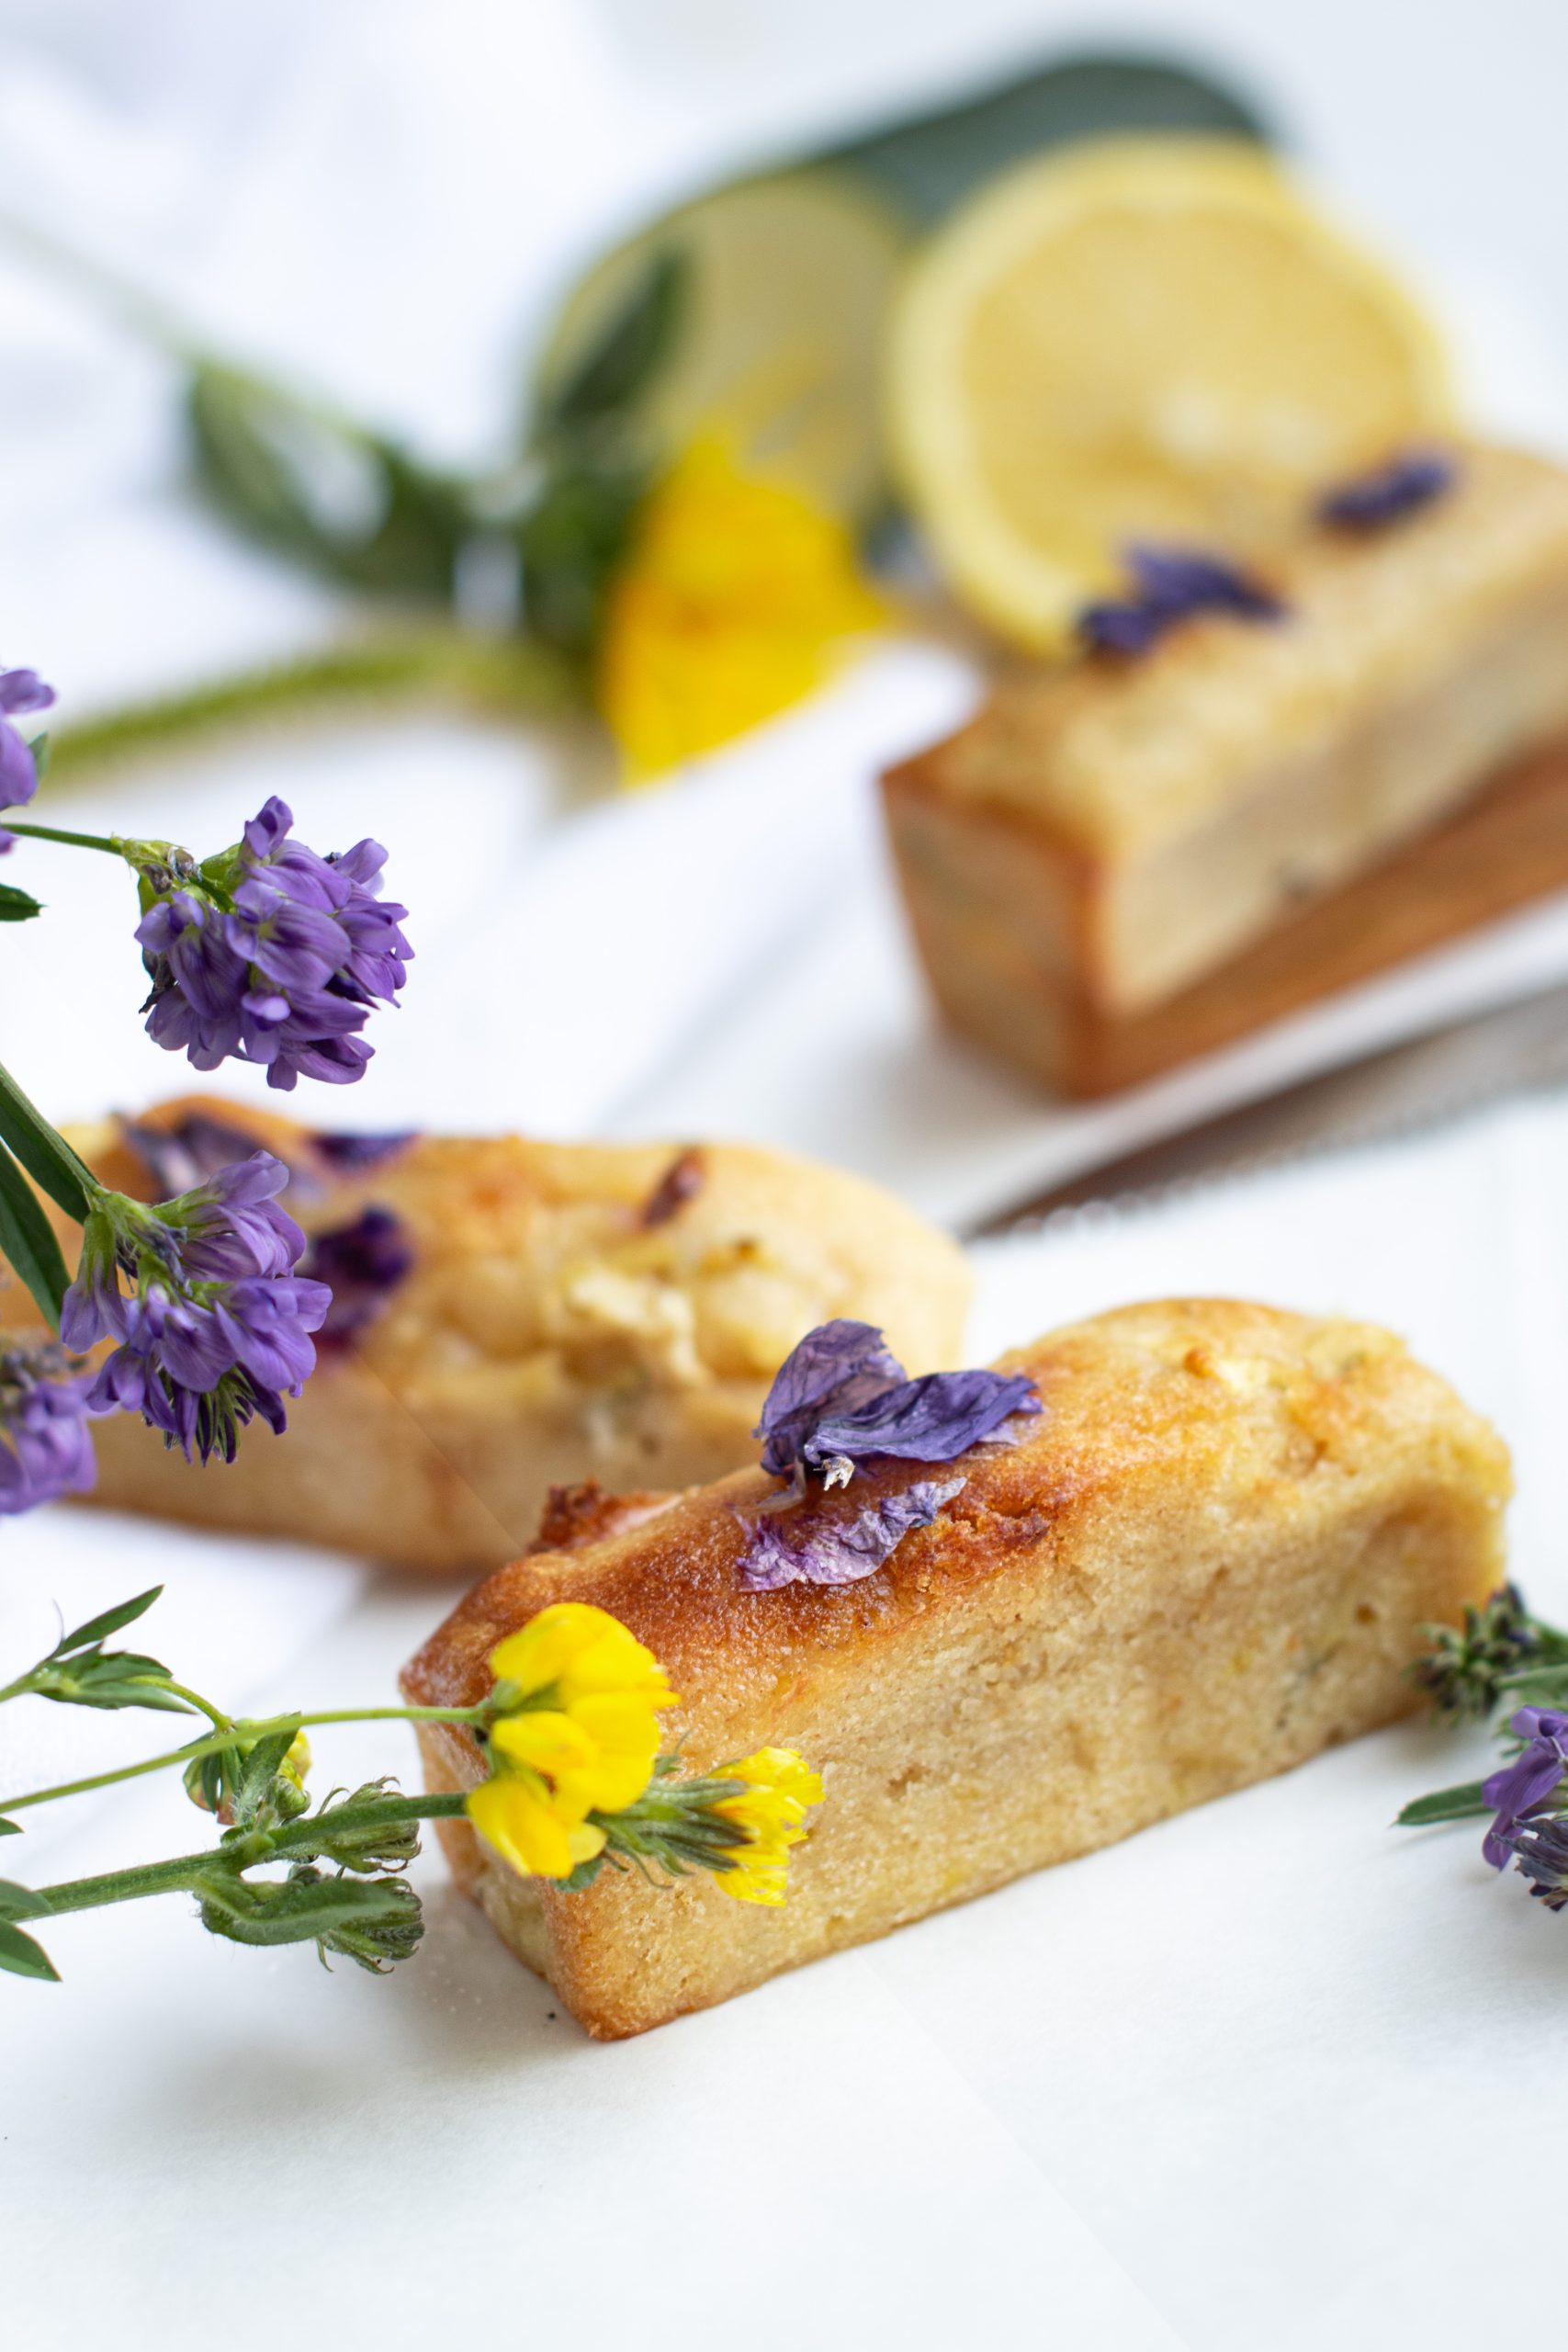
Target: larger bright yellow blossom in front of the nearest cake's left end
{"points": [[579, 1737]]}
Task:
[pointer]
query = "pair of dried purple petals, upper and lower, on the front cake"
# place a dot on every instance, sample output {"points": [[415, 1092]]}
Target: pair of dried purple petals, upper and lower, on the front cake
{"points": [[843, 1401]]}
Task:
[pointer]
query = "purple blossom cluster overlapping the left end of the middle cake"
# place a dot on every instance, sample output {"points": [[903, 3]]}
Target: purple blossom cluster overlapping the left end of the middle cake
{"points": [[217, 1325]]}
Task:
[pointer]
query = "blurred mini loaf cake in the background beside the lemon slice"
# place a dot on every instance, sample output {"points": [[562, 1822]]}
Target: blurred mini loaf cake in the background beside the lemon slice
{"points": [[1113, 836]]}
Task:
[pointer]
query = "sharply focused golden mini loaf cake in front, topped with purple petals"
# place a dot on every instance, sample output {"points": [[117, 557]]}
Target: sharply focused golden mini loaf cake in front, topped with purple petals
{"points": [[1200, 1565]]}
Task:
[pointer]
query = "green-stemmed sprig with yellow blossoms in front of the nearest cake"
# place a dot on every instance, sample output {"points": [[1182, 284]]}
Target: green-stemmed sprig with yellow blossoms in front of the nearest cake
{"points": [[575, 1779]]}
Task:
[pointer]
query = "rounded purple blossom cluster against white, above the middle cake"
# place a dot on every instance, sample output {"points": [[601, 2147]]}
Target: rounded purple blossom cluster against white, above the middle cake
{"points": [[274, 956]]}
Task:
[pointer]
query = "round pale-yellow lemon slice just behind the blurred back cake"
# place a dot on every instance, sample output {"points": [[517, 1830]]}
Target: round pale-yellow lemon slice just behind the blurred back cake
{"points": [[1139, 340]]}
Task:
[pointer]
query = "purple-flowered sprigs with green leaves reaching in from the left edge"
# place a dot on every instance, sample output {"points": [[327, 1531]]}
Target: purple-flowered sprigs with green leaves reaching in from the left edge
{"points": [[267, 954]]}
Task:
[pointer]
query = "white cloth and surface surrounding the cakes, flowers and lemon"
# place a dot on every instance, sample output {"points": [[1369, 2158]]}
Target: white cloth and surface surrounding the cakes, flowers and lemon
{"points": [[1254, 2078]]}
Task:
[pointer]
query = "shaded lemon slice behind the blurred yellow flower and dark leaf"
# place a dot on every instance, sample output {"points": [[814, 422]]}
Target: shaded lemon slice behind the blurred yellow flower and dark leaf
{"points": [[779, 340]]}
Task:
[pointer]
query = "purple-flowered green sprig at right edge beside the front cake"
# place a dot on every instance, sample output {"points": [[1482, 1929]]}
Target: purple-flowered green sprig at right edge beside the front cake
{"points": [[1506, 1657]]}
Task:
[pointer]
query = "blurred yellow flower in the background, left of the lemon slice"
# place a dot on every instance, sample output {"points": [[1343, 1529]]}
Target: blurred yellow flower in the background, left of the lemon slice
{"points": [[730, 608]]}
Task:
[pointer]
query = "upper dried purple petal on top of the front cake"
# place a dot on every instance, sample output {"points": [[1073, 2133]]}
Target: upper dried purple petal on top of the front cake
{"points": [[843, 1398]]}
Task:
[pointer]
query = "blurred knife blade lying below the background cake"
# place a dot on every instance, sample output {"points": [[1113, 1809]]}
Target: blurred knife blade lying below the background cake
{"points": [[1400, 1090]]}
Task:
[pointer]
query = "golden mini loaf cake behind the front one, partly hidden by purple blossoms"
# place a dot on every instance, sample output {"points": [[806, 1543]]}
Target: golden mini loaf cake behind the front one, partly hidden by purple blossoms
{"points": [[514, 1316]]}
